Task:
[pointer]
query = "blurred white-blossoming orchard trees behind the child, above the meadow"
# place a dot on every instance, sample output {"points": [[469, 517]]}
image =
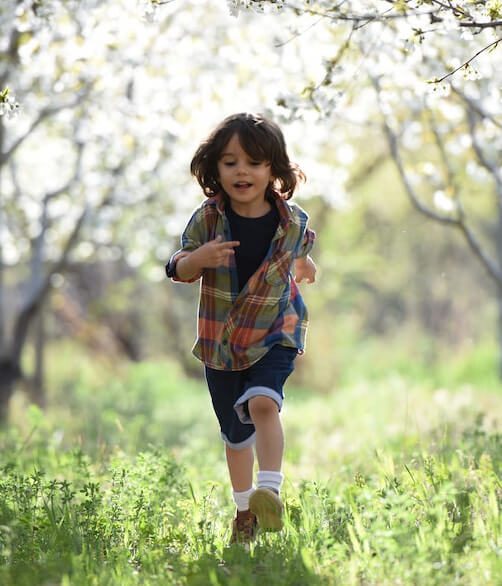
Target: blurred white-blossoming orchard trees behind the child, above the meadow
{"points": [[94, 188]]}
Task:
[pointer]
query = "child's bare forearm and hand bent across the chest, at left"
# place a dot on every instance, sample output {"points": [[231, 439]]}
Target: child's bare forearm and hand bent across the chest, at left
{"points": [[212, 254]]}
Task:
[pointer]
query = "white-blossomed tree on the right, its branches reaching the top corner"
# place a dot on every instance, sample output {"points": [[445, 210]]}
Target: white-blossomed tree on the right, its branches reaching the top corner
{"points": [[422, 78]]}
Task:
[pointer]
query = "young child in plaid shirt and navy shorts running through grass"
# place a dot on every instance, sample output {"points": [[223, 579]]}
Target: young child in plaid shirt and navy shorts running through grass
{"points": [[243, 241]]}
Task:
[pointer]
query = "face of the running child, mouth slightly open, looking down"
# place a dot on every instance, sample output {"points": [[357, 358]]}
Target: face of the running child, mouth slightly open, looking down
{"points": [[243, 179]]}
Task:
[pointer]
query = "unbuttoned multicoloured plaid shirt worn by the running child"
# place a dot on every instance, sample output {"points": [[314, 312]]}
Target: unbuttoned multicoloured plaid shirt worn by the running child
{"points": [[236, 329]]}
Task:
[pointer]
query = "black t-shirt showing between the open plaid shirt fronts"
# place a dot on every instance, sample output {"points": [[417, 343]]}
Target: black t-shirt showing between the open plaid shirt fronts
{"points": [[254, 235]]}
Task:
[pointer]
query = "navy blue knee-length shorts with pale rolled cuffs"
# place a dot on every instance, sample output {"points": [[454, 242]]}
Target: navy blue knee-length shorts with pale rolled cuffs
{"points": [[231, 390]]}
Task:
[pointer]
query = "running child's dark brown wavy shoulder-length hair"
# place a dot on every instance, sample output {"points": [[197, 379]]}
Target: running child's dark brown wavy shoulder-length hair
{"points": [[262, 140]]}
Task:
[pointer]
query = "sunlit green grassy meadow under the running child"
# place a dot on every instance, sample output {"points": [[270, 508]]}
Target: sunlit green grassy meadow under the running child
{"points": [[389, 480]]}
